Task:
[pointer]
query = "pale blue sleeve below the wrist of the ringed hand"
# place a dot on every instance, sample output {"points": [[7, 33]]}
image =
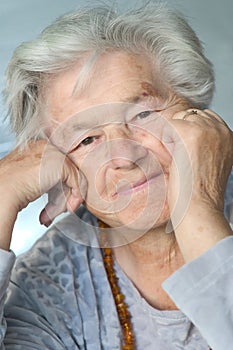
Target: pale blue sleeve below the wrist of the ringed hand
{"points": [[203, 290]]}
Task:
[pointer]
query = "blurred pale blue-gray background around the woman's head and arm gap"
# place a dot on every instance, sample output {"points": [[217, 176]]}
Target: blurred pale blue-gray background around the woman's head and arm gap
{"points": [[23, 20]]}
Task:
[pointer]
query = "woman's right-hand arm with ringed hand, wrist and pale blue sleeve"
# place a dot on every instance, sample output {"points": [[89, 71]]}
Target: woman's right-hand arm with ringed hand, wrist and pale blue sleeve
{"points": [[203, 288]]}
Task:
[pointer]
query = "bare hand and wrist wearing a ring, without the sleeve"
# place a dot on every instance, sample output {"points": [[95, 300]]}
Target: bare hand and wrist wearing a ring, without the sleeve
{"points": [[202, 161]]}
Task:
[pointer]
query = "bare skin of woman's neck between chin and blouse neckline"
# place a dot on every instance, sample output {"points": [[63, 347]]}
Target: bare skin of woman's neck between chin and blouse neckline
{"points": [[148, 261]]}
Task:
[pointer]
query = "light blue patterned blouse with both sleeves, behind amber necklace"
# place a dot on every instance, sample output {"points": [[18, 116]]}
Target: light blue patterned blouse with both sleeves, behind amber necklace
{"points": [[59, 297]]}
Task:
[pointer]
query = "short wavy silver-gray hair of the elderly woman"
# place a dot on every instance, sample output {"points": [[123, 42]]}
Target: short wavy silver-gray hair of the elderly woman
{"points": [[152, 30]]}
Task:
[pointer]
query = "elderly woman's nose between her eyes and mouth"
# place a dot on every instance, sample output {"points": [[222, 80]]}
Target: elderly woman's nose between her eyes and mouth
{"points": [[123, 149]]}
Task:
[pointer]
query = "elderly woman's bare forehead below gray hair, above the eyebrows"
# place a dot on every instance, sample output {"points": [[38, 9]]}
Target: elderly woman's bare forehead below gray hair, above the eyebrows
{"points": [[113, 77]]}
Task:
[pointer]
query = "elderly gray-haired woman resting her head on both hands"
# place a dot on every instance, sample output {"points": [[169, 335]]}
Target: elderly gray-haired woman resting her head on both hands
{"points": [[111, 117]]}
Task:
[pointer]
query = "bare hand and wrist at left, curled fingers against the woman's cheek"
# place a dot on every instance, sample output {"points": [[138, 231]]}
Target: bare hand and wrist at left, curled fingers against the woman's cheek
{"points": [[27, 174]]}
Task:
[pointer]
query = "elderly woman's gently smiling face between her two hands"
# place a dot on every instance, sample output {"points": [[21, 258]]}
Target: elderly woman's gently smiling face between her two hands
{"points": [[112, 130]]}
